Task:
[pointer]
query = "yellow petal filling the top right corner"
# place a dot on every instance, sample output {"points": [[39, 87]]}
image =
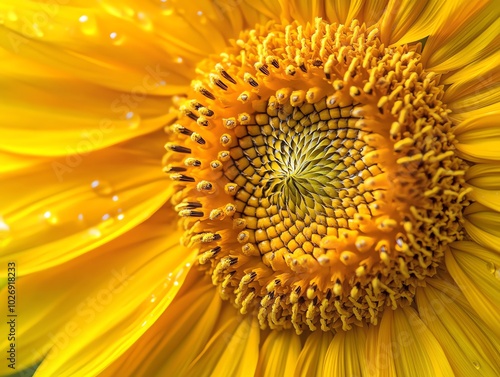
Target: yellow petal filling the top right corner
{"points": [[469, 34]]}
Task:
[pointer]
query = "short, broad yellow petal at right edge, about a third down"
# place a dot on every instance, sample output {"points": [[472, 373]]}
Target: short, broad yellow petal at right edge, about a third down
{"points": [[478, 138]]}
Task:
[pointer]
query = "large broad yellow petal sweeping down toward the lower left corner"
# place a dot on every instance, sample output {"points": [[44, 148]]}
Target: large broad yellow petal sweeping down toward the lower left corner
{"points": [[83, 314]]}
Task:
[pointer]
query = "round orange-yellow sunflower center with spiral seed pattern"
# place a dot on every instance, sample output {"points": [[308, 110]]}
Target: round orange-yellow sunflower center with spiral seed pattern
{"points": [[316, 174]]}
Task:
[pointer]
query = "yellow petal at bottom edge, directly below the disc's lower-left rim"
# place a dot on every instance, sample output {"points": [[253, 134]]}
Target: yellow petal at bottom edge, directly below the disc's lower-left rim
{"points": [[232, 351]]}
